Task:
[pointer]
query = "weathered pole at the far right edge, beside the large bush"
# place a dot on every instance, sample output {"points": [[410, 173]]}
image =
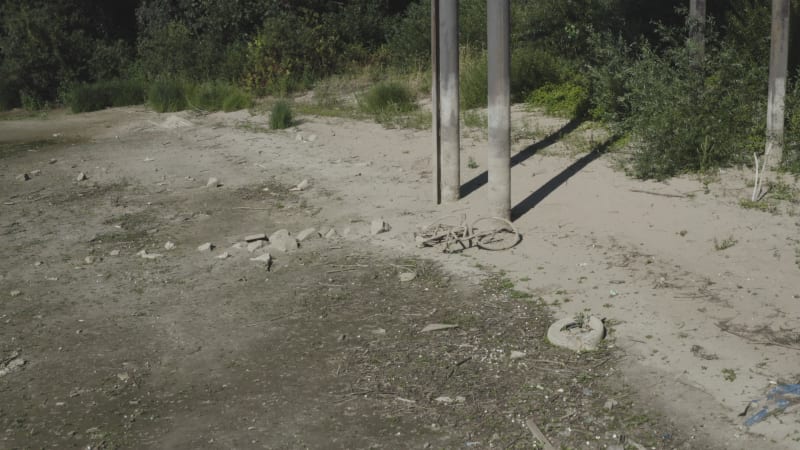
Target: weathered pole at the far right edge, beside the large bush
{"points": [[778, 69]]}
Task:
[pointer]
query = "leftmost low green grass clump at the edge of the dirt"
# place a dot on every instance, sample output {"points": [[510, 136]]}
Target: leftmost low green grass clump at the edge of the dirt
{"points": [[105, 94]]}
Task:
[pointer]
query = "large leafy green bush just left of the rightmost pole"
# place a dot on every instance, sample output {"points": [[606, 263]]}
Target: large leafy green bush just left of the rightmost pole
{"points": [[693, 116]]}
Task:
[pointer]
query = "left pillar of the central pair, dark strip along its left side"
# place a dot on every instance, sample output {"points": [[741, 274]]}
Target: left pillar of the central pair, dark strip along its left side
{"points": [[447, 104]]}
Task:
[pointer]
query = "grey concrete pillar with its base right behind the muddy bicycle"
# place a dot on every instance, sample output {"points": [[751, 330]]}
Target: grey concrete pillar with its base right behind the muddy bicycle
{"points": [[499, 28]]}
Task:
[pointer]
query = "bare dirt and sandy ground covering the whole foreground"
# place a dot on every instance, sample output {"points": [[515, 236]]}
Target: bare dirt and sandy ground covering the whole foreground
{"points": [[325, 348]]}
